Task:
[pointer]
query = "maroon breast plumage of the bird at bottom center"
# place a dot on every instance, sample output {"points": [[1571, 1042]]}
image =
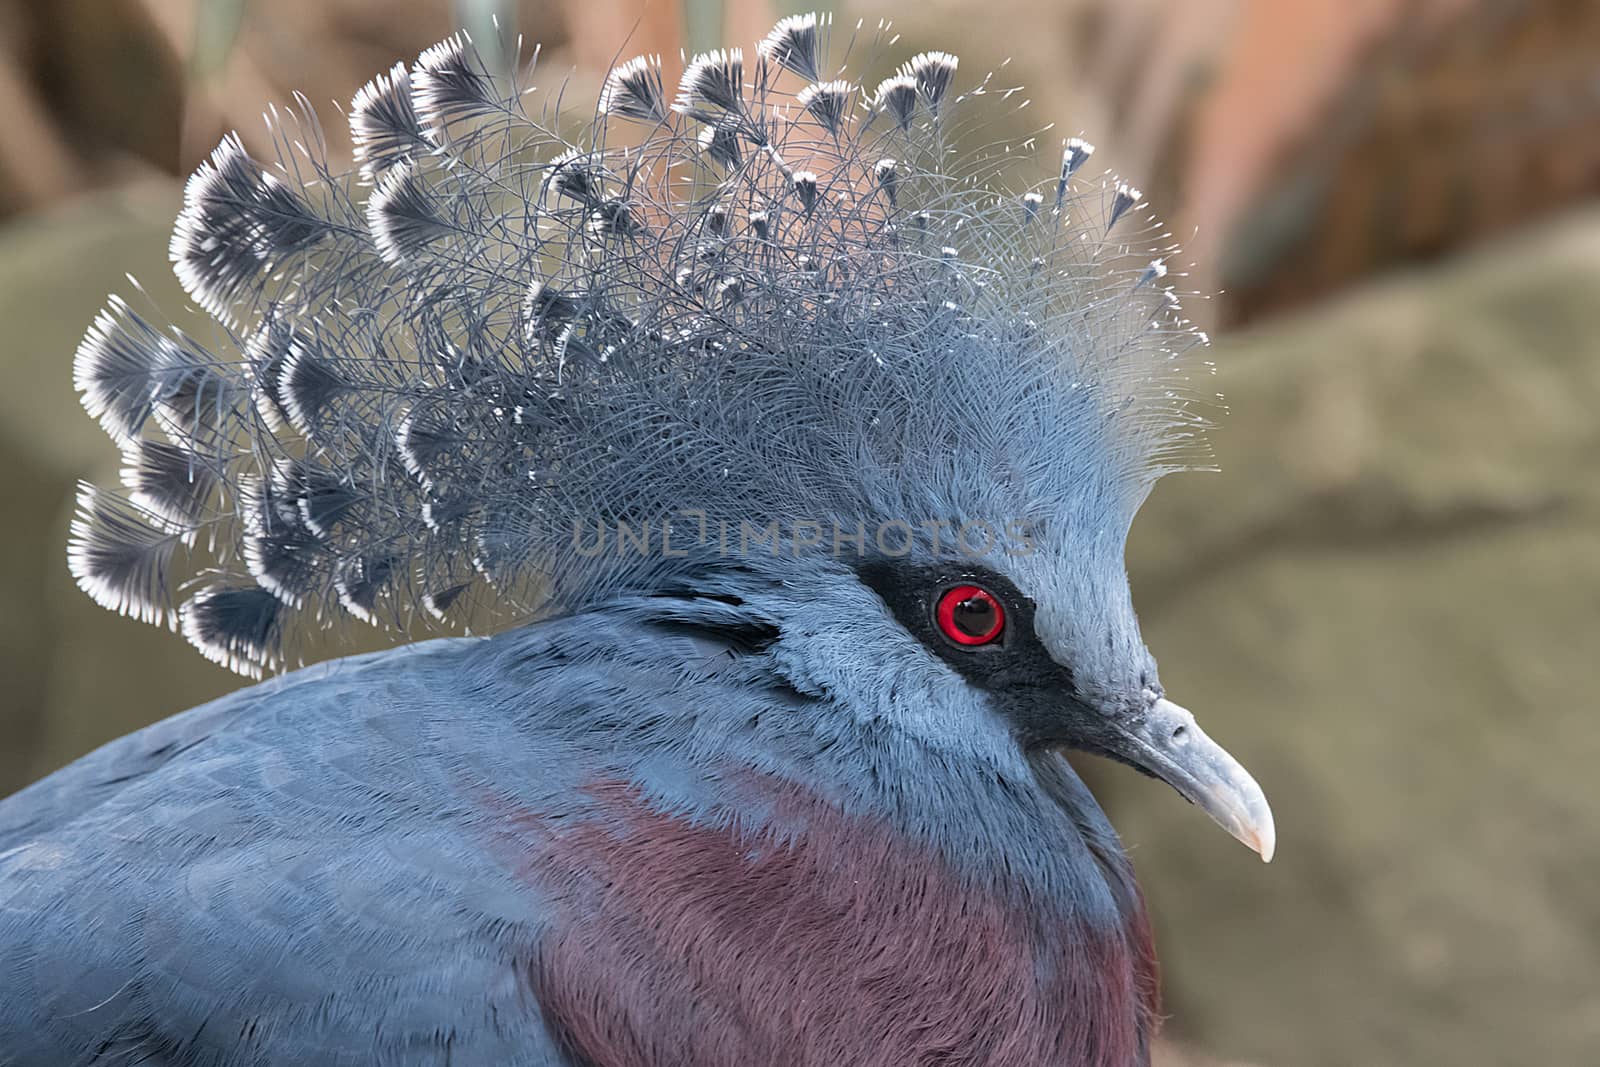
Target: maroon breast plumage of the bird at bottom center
{"points": [[841, 943]]}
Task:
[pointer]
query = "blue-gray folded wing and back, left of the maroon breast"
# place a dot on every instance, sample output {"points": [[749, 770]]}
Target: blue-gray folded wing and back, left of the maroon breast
{"points": [[292, 874]]}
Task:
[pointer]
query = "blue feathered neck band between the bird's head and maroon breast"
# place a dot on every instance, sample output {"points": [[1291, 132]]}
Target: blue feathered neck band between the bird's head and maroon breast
{"points": [[951, 778]]}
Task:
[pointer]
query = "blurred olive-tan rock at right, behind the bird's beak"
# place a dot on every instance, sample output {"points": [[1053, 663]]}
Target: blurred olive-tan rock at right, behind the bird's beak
{"points": [[1388, 609]]}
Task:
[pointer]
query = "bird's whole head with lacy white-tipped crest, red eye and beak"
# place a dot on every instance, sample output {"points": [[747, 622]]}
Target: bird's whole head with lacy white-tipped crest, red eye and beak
{"points": [[770, 340]]}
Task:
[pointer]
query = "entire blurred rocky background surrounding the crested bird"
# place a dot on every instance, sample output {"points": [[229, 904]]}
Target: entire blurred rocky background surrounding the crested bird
{"points": [[1388, 604]]}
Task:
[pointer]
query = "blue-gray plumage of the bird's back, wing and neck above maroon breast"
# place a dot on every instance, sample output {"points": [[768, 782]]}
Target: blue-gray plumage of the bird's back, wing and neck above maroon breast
{"points": [[330, 866]]}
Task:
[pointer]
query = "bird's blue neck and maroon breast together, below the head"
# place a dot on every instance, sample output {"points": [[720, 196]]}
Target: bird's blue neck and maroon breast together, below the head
{"points": [[804, 850]]}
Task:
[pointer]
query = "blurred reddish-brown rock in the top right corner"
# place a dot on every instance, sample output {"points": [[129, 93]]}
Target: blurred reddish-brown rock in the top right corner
{"points": [[1314, 143]]}
